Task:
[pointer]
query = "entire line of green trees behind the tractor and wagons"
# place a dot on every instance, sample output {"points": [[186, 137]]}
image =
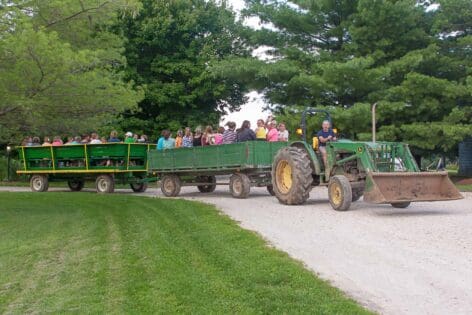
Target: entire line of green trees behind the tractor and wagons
{"points": [[71, 66]]}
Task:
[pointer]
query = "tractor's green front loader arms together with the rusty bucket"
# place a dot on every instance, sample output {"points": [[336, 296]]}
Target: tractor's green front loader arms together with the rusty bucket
{"points": [[388, 173]]}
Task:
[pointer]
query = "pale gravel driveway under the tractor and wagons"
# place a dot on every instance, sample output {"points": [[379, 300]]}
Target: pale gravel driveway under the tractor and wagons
{"points": [[395, 261]]}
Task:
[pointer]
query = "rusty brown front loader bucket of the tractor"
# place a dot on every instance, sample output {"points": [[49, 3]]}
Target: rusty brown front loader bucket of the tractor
{"points": [[408, 187]]}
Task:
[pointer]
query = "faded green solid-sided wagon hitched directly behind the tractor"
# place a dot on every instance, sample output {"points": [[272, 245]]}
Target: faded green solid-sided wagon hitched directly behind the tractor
{"points": [[248, 163]]}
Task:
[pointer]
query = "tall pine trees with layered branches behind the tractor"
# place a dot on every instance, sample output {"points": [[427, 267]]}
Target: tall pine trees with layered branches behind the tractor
{"points": [[414, 62]]}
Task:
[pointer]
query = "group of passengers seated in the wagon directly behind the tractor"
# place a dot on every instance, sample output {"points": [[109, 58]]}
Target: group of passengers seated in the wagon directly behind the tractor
{"points": [[267, 130]]}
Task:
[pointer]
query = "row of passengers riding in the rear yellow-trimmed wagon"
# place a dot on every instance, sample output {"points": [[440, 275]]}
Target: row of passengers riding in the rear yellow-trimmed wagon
{"points": [[92, 138]]}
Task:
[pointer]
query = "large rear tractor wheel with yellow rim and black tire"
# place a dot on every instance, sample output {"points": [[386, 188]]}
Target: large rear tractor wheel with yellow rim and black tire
{"points": [[292, 176]]}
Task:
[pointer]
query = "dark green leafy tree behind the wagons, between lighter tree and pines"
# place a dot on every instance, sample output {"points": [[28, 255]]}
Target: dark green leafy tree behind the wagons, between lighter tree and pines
{"points": [[171, 48]]}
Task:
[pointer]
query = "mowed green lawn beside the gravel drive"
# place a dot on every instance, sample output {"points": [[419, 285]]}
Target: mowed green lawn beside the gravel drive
{"points": [[89, 253]]}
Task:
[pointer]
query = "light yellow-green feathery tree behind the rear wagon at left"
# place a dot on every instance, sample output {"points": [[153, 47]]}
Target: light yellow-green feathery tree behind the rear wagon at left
{"points": [[60, 67]]}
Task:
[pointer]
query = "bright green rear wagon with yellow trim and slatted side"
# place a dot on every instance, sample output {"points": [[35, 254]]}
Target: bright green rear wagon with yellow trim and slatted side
{"points": [[106, 164]]}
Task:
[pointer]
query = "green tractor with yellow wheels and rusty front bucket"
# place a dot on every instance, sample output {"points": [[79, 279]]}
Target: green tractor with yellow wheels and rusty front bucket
{"points": [[382, 172]]}
